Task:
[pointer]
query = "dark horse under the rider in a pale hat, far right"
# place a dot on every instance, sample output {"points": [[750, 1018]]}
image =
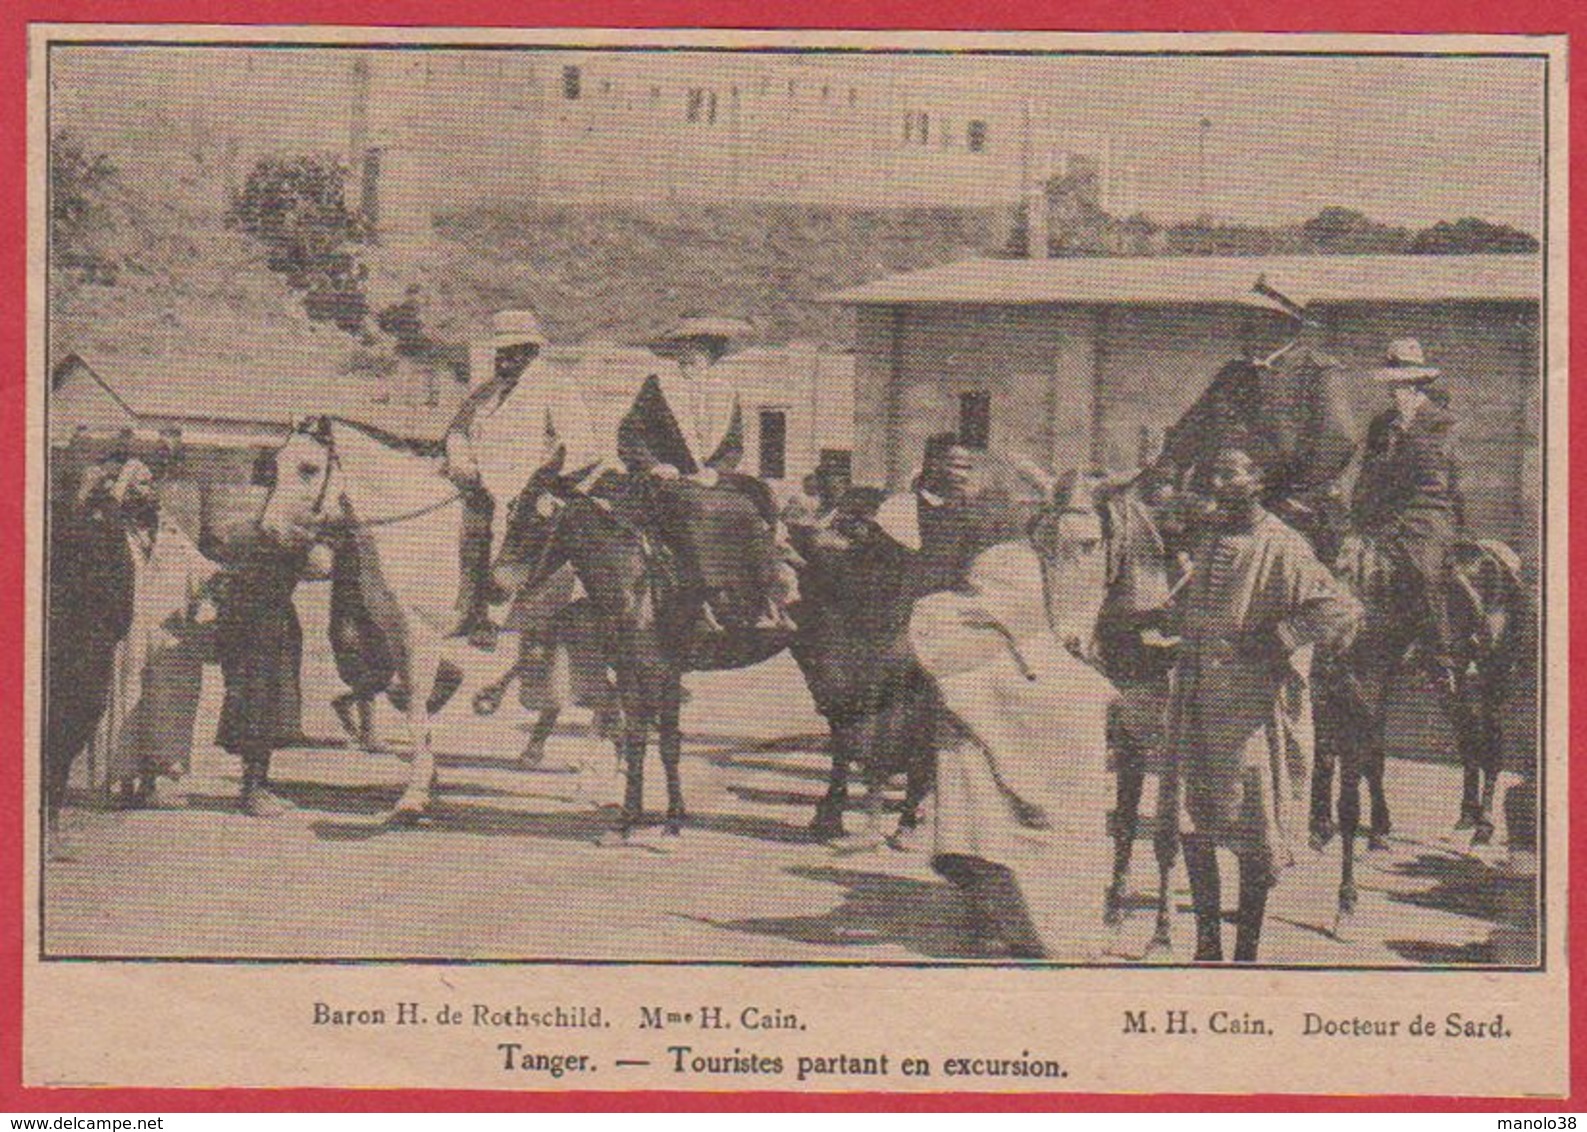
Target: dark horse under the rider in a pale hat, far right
{"points": [[1488, 609]]}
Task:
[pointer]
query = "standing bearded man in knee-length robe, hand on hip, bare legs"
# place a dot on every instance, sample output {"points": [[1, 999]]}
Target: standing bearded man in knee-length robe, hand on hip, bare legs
{"points": [[1256, 599]]}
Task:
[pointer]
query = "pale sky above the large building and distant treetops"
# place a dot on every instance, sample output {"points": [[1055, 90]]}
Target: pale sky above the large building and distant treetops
{"points": [[1405, 141]]}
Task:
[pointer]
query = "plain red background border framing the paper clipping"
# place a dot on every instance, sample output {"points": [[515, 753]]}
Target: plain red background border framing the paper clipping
{"points": [[1428, 17]]}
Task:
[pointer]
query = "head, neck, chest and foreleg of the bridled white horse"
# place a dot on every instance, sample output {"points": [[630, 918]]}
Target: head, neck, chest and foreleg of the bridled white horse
{"points": [[407, 518]]}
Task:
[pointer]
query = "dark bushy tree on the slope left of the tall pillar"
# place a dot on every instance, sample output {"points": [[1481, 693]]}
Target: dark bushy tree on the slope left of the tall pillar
{"points": [[298, 207]]}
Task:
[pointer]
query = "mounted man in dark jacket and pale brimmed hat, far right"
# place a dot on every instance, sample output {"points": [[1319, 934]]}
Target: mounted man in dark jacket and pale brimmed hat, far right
{"points": [[1408, 490]]}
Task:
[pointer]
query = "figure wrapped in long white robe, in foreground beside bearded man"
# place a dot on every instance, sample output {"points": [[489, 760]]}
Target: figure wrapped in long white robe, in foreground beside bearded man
{"points": [[1023, 785]]}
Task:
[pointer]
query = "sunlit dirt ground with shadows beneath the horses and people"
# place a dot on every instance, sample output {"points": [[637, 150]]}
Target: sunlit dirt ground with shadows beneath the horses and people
{"points": [[513, 864]]}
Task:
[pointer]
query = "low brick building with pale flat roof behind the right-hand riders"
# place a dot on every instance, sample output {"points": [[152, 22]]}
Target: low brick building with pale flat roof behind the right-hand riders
{"points": [[1088, 361]]}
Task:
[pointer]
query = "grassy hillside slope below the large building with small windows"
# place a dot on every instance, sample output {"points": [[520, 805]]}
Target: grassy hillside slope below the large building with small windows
{"points": [[626, 272]]}
